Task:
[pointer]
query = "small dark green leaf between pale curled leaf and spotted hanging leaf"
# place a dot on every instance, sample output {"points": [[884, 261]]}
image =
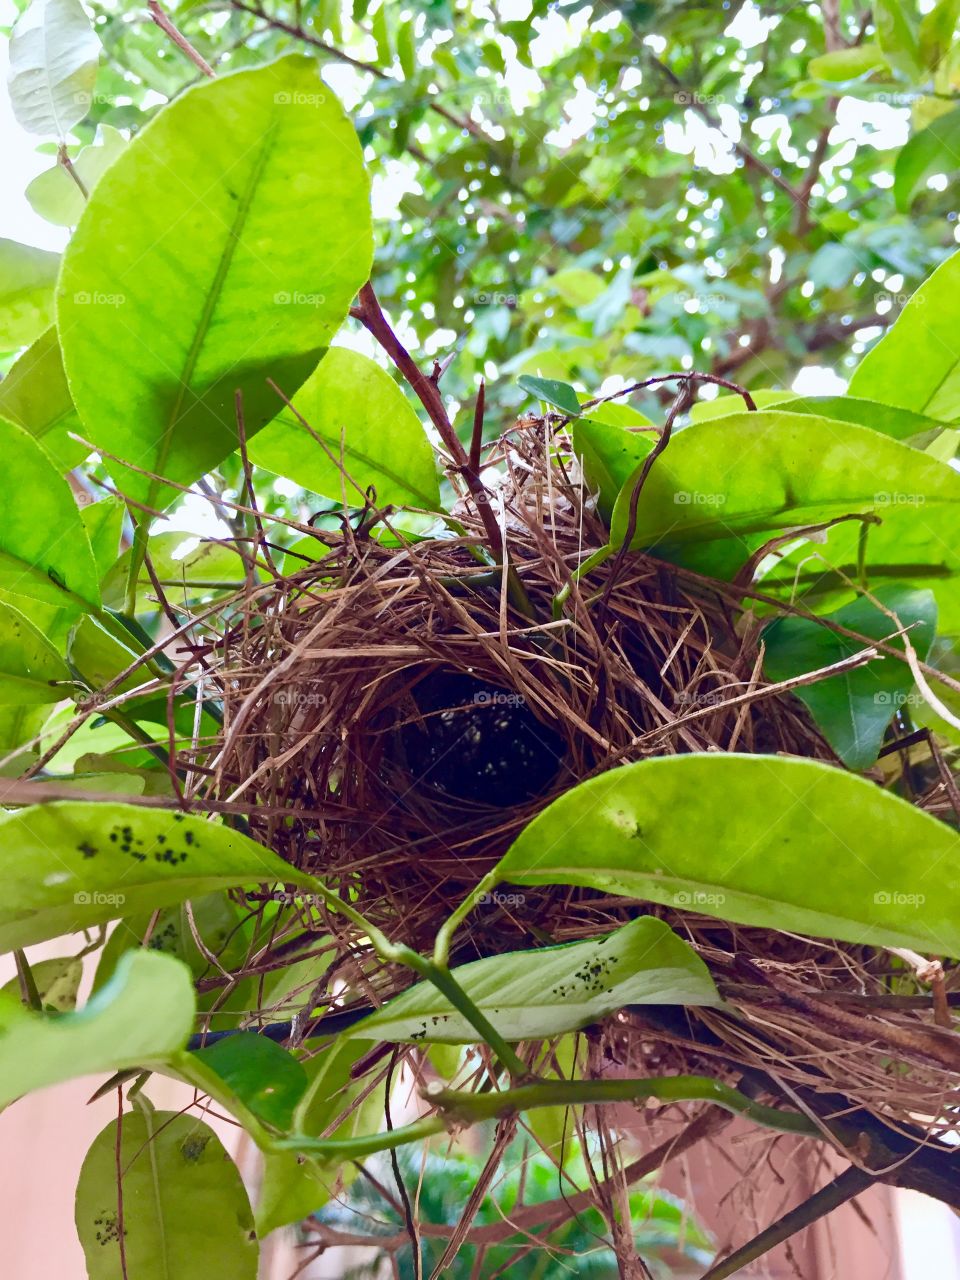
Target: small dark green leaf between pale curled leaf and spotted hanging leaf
{"points": [[268, 1081]]}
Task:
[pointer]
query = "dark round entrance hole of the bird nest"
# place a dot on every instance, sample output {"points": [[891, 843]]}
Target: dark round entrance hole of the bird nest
{"points": [[477, 742]]}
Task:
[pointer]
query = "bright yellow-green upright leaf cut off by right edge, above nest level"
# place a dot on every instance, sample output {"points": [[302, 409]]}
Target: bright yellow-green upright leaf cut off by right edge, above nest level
{"points": [[893, 373]]}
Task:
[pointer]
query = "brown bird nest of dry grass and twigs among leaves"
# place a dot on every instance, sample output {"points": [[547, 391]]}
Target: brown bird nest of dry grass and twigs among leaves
{"points": [[396, 712]]}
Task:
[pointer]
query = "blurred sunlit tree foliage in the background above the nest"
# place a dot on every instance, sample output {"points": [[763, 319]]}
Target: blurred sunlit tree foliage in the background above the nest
{"points": [[588, 191]]}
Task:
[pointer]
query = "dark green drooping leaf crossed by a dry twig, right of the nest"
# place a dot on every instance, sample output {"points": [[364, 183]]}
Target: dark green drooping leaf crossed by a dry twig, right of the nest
{"points": [[856, 708]]}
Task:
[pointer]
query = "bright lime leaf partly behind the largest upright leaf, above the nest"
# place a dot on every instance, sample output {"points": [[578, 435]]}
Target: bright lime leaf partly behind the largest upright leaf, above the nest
{"points": [[360, 414]]}
